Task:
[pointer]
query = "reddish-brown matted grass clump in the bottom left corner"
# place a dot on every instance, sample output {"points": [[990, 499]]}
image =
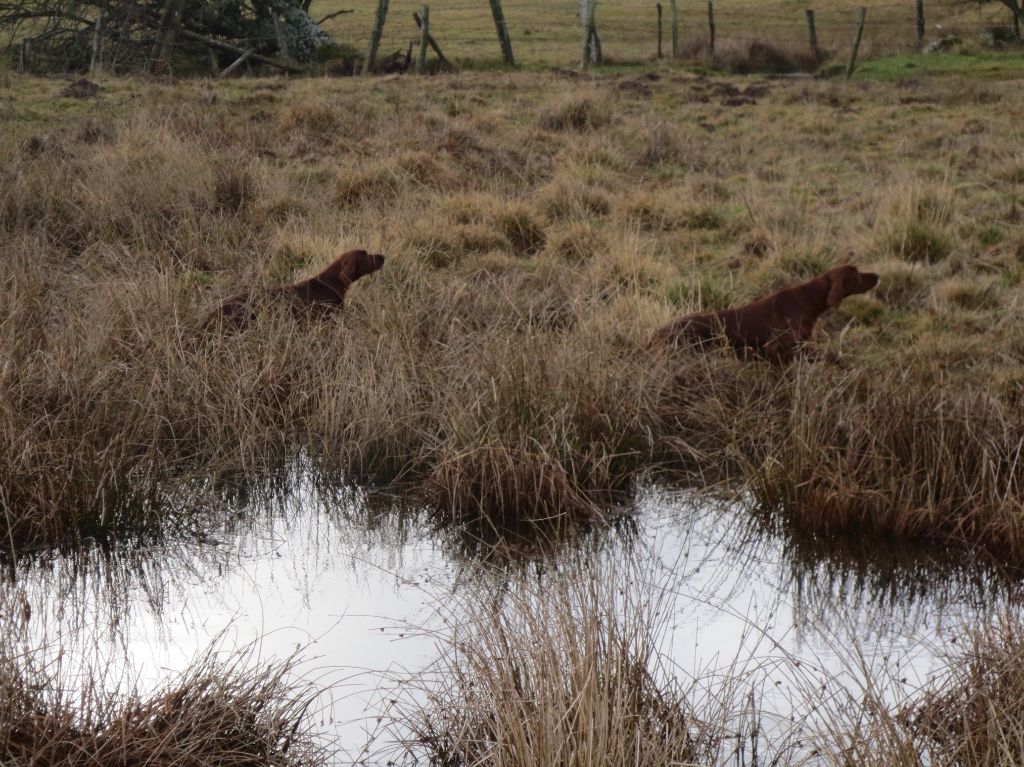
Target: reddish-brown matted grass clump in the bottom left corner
{"points": [[218, 712]]}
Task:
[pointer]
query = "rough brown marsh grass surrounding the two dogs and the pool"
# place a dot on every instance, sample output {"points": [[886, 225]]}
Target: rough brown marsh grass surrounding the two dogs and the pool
{"points": [[538, 228]]}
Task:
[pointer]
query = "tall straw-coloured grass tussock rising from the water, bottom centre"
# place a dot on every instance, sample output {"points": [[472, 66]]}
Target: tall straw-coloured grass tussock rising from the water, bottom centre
{"points": [[566, 672]]}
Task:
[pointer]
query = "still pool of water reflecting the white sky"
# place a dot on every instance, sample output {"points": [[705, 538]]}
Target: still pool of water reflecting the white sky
{"points": [[359, 586]]}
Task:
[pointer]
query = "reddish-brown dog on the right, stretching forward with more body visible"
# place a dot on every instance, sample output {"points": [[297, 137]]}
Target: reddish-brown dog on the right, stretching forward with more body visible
{"points": [[776, 326]]}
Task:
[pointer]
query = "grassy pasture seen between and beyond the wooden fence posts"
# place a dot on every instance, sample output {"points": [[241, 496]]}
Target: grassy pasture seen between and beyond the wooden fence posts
{"points": [[551, 34]]}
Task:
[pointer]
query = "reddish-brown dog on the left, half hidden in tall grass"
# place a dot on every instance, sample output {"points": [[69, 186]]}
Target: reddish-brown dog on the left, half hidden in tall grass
{"points": [[324, 292]]}
